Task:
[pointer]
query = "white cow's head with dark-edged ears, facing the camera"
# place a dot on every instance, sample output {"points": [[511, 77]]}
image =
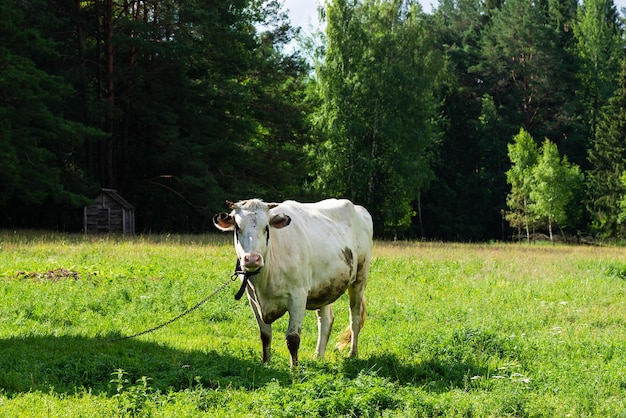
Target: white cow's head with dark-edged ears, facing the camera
{"points": [[251, 220]]}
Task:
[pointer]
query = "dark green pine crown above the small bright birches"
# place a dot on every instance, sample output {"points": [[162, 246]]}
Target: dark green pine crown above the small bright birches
{"points": [[523, 63]]}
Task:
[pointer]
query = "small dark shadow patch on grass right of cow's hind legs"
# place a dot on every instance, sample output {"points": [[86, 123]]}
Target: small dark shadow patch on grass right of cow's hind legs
{"points": [[432, 374]]}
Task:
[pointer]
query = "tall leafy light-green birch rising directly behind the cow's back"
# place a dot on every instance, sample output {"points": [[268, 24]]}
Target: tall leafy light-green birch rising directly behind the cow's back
{"points": [[376, 107]]}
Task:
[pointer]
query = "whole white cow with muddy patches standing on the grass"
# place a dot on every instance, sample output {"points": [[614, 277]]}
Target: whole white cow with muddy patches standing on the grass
{"points": [[295, 256]]}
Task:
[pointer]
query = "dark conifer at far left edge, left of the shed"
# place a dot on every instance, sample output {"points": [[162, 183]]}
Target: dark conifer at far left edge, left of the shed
{"points": [[37, 143]]}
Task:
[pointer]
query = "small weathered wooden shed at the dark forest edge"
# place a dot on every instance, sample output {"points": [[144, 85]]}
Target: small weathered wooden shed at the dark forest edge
{"points": [[110, 212]]}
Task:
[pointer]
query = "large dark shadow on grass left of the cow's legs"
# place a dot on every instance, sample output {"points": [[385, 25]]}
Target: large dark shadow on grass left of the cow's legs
{"points": [[68, 364]]}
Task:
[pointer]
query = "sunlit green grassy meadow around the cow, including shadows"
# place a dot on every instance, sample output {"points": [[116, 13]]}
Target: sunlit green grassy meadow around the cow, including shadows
{"points": [[466, 330]]}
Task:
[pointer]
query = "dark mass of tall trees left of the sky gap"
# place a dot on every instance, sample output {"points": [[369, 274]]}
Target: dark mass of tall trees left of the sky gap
{"points": [[195, 99]]}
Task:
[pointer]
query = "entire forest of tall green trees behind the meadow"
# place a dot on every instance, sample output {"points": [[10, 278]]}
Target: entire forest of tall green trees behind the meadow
{"points": [[480, 120]]}
